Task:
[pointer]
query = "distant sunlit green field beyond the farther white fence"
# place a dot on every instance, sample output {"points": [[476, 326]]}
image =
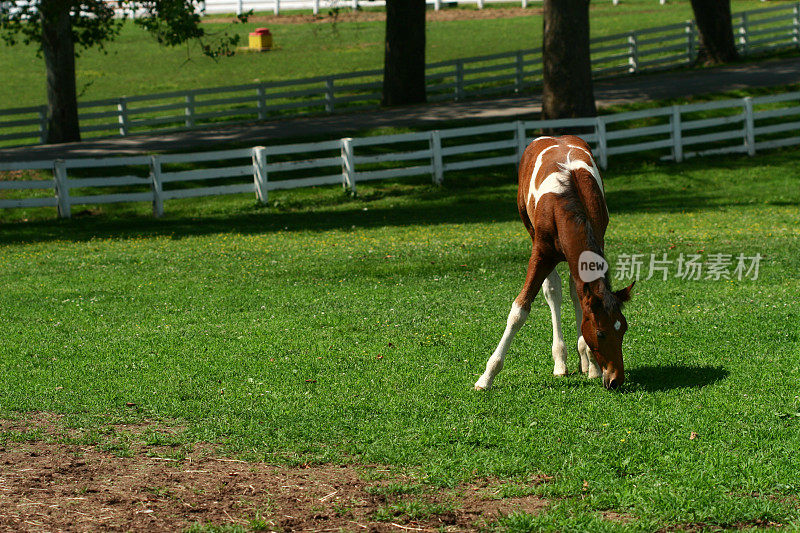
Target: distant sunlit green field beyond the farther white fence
{"points": [[136, 64]]}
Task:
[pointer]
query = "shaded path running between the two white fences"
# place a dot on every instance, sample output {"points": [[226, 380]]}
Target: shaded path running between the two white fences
{"points": [[612, 91]]}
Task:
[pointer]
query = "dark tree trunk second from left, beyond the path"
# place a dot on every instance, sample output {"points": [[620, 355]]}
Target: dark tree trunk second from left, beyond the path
{"points": [[404, 60]]}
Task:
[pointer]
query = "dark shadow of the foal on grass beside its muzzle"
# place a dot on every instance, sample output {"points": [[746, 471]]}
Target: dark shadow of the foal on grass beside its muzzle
{"points": [[665, 378]]}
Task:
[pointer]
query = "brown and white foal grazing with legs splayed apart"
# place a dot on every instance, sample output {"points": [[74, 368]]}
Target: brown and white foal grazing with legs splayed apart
{"points": [[562, 204]]}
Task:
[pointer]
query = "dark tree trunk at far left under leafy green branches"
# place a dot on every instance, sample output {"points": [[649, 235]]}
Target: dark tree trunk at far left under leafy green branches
{"points": [[59, 57]]}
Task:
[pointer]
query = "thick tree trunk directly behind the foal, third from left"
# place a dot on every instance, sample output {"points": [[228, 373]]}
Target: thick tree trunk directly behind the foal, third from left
{"points": [[567, 69]]}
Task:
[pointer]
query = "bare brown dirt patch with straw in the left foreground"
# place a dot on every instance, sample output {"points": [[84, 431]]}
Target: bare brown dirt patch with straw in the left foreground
{"points": [[51, 482]]}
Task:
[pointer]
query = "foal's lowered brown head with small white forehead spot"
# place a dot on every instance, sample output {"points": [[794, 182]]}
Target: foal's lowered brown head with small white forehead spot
{"points": [[603, 327]]}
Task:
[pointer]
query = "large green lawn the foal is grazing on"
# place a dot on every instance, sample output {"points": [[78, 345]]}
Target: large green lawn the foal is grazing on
{"points": [[326, 328]]}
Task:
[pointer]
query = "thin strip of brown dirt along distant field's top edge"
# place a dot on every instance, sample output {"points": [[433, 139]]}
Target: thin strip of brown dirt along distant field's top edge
{"points": [[347, 15]]}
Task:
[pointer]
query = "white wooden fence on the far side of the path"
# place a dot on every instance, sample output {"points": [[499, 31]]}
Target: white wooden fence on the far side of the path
{"points": [[625, 53]]}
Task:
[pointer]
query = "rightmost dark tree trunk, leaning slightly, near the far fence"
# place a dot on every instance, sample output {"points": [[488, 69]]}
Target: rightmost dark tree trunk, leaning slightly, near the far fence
{"points": [[716, 31]]}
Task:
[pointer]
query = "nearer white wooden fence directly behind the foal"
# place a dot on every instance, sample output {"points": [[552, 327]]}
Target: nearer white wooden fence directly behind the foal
{"points": [[676, 132]]}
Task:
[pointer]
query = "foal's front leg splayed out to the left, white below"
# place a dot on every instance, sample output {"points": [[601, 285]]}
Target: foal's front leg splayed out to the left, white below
{"points": [[538, 269]]}
